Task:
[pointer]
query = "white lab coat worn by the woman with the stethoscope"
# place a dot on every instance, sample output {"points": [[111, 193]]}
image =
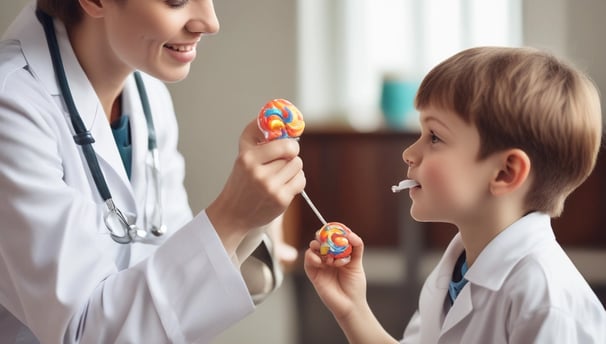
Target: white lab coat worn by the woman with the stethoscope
{"points": [[61, 275]]}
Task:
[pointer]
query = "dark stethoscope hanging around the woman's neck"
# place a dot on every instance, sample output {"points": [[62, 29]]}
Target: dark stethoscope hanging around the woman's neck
{"points": [[121, 229]]}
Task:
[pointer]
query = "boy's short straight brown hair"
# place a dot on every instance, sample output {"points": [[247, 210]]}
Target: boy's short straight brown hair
{"points": [[528, 99]]}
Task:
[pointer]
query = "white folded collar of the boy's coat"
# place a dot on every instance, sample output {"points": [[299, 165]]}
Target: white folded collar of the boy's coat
{"points": [[502, 253]]}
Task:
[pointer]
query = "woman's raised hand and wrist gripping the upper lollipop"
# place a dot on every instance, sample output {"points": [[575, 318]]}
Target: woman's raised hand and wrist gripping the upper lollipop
{"points": [[266, 176]]}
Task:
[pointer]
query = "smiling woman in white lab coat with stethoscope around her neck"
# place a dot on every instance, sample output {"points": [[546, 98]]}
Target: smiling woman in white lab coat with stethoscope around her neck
{"points": [[98, 241]]}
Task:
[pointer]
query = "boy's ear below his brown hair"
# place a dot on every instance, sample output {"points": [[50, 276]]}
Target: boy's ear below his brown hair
{"points": [[514, 171]]}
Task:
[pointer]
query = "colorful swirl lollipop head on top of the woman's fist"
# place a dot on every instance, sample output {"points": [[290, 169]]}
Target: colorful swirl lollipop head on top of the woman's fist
{"points": [[279, 119]]}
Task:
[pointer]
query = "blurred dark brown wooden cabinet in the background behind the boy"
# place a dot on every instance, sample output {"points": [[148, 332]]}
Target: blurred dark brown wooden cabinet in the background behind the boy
{"points": [[349, 178]]}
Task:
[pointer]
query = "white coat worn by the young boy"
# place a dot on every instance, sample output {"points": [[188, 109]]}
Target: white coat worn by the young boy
{"points": [[521, 289]]}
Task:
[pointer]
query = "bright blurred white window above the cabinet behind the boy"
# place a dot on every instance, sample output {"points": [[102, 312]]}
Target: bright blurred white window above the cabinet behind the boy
{"points": [[348, 46]]}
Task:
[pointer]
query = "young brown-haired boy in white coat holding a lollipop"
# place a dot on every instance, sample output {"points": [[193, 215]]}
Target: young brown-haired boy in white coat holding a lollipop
{"points": [[506, 135]]}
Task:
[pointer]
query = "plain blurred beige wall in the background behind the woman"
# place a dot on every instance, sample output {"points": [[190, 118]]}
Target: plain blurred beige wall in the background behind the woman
{"points": [[254, 59]]}
